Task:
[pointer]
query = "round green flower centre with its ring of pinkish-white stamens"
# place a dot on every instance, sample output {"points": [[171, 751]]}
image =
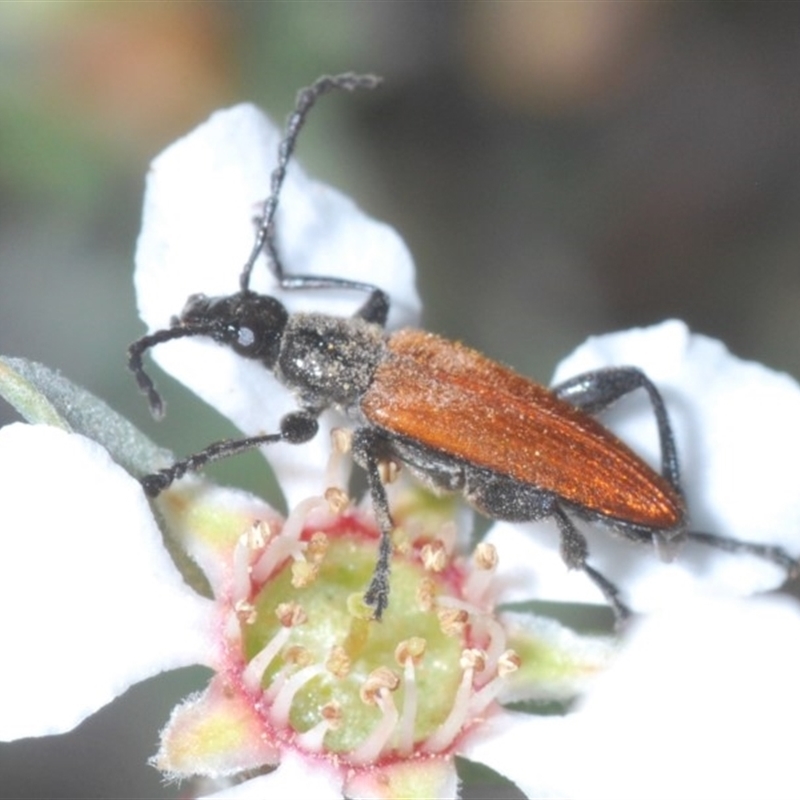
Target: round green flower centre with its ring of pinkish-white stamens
{"points": [[329, 679]]}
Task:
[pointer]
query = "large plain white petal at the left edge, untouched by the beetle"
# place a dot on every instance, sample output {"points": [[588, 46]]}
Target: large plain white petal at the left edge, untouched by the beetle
{"points": [[91, 603]]}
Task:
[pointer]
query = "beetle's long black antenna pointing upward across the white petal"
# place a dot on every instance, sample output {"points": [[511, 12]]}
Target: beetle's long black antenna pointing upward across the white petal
{"points": [[306, 98]]}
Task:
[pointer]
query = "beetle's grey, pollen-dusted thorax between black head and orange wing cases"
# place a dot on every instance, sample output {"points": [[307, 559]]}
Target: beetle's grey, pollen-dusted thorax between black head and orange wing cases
{"points": [[329, 360]]}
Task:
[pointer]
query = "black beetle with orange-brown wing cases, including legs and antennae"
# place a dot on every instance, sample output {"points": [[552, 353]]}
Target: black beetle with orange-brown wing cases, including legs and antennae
{"points": [[460, 422]]}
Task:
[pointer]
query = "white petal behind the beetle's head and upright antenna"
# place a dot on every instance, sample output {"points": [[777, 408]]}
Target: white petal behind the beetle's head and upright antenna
{"points": [[202, 195]]}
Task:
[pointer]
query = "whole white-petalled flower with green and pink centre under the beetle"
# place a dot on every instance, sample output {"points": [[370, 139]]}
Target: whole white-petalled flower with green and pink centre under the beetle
{"points": [[695, 703]]}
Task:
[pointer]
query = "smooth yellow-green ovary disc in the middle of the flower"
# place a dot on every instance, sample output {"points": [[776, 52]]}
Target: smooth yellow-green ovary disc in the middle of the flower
{"points": [[346, 570]]}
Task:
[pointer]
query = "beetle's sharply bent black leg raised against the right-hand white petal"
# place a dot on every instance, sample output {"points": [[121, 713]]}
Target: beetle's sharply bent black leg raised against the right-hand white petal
{"points": [[595, 391]]}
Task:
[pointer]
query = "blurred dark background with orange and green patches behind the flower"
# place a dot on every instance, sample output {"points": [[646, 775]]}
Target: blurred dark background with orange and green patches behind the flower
{"points": [[557, 169]]}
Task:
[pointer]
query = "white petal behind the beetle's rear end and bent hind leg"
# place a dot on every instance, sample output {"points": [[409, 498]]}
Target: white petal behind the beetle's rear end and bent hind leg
{"points": [[737, 429]]}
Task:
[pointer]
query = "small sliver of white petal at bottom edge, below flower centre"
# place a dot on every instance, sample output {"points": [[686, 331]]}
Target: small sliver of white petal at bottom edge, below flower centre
{"points": [[295, 777]]}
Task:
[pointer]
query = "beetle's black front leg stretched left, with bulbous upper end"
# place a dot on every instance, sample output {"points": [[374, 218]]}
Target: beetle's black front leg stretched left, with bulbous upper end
{"points": [[296, 428]]}
